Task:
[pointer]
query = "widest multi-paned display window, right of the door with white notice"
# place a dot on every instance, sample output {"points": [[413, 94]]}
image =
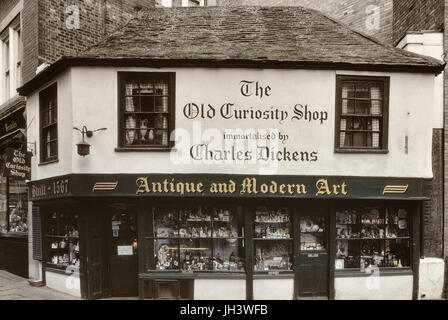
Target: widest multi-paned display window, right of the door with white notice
{"points": [[198, 239]]}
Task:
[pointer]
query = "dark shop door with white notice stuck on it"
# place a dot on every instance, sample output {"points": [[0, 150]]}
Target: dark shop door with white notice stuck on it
{"points": [[123, 254]]}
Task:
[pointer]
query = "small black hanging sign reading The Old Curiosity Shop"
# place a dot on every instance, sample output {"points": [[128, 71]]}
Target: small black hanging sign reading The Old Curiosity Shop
{"points": [[18, 164]]}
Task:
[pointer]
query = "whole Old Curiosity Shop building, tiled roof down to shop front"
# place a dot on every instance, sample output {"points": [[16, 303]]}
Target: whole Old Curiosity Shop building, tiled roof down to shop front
{"points": [[267, 153]]}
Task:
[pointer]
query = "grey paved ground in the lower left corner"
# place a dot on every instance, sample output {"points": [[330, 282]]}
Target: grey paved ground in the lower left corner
{"points": [[13, 287]]}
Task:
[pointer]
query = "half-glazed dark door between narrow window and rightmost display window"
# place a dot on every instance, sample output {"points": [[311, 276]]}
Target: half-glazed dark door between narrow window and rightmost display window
{"points": [[313, 256]]}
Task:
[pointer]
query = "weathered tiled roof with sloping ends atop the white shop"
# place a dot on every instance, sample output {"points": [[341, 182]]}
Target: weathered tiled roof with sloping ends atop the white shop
{"points": [[256, 37]]}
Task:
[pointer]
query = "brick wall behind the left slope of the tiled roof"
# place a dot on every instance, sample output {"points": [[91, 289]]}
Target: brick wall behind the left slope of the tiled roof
{"points": [[47, 37]]}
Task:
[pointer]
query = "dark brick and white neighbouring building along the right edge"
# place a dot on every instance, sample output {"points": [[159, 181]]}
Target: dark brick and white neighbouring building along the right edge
{"points": [[418, 26]]}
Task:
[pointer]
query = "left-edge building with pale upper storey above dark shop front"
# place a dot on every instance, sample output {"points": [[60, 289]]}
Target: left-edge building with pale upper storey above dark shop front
{"points": [[13, 189]]}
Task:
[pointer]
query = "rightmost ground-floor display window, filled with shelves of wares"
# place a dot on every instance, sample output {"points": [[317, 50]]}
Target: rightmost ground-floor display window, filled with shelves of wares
{"points": [[372, 237]]}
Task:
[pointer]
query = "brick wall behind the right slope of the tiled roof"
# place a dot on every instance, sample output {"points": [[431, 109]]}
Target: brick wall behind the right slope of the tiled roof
{"points": [[351, 12]]}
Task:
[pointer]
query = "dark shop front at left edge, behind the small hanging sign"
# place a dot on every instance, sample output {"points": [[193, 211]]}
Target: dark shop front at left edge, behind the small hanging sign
{"points": [[15, 169]]}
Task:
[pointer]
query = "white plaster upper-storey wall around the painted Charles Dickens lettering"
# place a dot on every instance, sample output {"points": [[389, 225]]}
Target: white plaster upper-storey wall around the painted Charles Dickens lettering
{"points": [[88, 96]]}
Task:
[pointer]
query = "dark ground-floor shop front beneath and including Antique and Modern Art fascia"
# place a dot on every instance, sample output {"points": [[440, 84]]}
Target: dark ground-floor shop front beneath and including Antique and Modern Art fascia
{"points": [[230, 236]]}
